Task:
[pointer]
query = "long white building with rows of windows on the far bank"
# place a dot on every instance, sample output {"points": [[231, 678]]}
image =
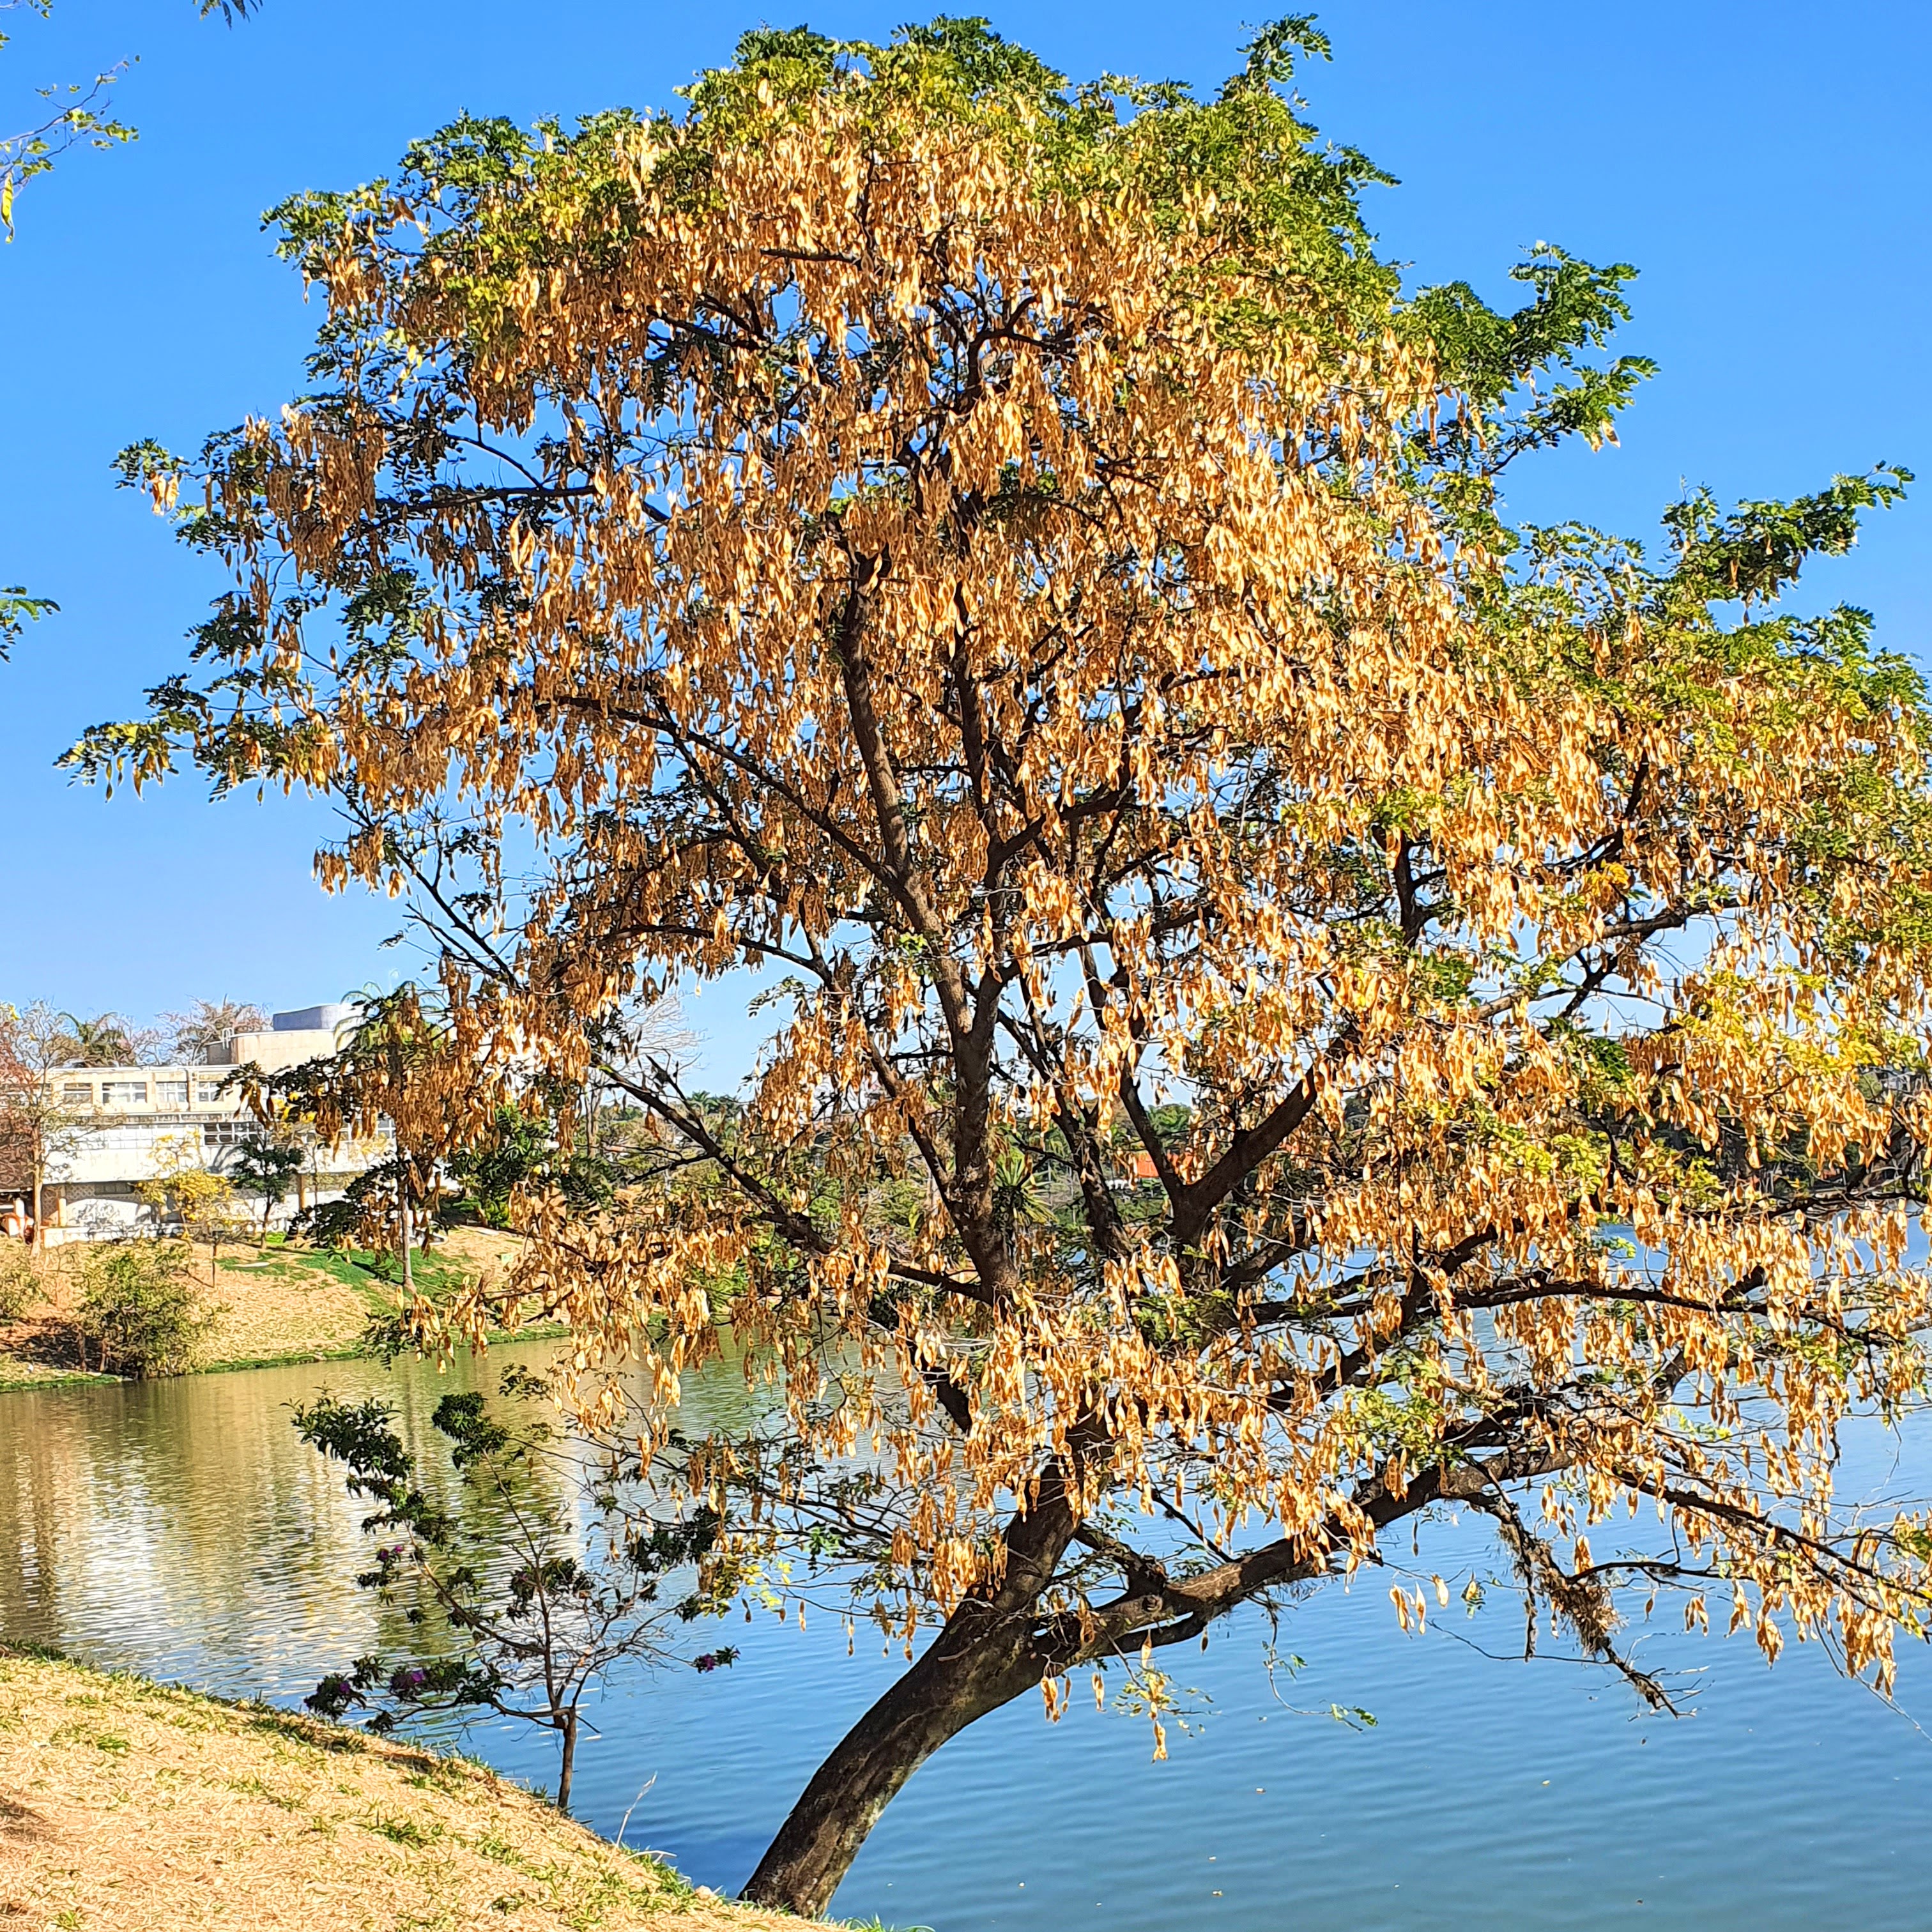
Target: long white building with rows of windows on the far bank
{"points": [[144, 1122]]}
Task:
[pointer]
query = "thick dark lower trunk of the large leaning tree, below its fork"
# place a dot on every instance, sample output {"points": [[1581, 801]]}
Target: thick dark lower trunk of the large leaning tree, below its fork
{"points": [[980, 1661]]}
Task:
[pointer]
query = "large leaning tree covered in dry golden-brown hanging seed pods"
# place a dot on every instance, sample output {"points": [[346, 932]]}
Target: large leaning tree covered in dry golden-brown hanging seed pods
{"points": [[1377, 1009]]}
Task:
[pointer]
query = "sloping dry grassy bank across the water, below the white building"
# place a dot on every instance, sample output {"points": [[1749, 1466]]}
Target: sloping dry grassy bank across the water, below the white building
{"points": [[277, 1305]]}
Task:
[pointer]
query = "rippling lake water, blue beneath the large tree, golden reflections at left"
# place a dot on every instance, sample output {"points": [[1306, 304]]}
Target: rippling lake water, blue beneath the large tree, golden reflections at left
{"points": [[181, 1529]]}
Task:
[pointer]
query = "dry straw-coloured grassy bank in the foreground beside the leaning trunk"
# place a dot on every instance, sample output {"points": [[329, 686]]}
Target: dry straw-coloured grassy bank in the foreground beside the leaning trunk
{"points": [[134, 1805]]}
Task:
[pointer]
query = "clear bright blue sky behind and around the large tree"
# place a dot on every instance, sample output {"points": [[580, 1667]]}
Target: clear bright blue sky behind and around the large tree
{"points": [[1769, 167]]}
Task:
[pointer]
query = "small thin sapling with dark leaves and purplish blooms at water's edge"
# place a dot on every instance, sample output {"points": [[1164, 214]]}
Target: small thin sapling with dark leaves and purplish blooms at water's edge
{"points": [[511, 1614]]}
